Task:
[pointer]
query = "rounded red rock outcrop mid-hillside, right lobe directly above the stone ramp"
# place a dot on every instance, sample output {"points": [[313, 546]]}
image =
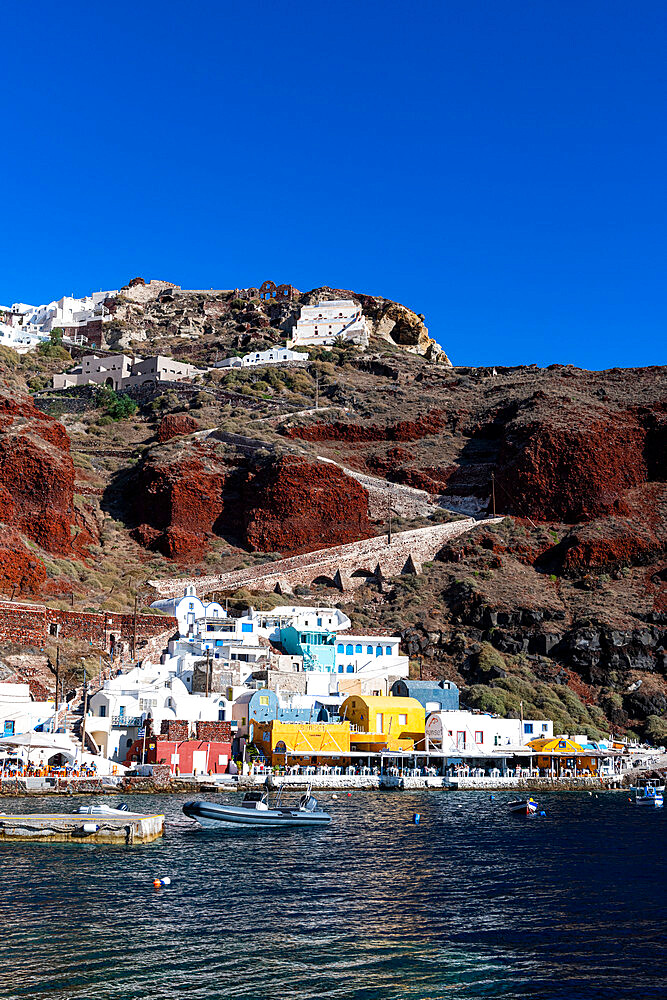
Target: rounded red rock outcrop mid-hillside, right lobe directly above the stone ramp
{"points": [[292, 506]]}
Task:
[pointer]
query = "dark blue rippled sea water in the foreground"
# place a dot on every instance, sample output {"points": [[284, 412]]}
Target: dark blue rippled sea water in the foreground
{"points": [[470, 903]]}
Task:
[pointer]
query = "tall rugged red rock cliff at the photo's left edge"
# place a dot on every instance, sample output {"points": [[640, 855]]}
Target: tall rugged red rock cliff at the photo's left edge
{"points": [[36, 475]]}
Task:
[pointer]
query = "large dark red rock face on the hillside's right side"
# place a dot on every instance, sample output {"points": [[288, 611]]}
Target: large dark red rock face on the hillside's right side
{"points": [[570, 467]]}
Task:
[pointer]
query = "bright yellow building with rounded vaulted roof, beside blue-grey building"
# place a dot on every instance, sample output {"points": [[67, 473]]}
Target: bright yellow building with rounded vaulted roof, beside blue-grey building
{"points": [[384, 723]]}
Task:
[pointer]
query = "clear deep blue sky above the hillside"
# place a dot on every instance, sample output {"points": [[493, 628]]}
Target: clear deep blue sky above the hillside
{"points": [[498, 166]]}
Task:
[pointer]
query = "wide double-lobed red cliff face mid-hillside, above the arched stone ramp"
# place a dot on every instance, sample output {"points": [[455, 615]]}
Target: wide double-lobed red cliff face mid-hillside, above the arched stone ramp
{"points": [[266, 503]]}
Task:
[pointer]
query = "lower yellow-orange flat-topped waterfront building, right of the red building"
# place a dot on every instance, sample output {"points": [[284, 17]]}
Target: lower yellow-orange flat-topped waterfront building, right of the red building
{"points": [[280, 741]]}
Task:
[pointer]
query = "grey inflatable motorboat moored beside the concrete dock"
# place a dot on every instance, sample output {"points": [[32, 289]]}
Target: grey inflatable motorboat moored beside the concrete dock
{"points": [[255, 810]]}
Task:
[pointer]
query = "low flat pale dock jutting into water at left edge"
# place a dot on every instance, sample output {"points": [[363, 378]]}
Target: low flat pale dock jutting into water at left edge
{"points": [[132, 828]]}
